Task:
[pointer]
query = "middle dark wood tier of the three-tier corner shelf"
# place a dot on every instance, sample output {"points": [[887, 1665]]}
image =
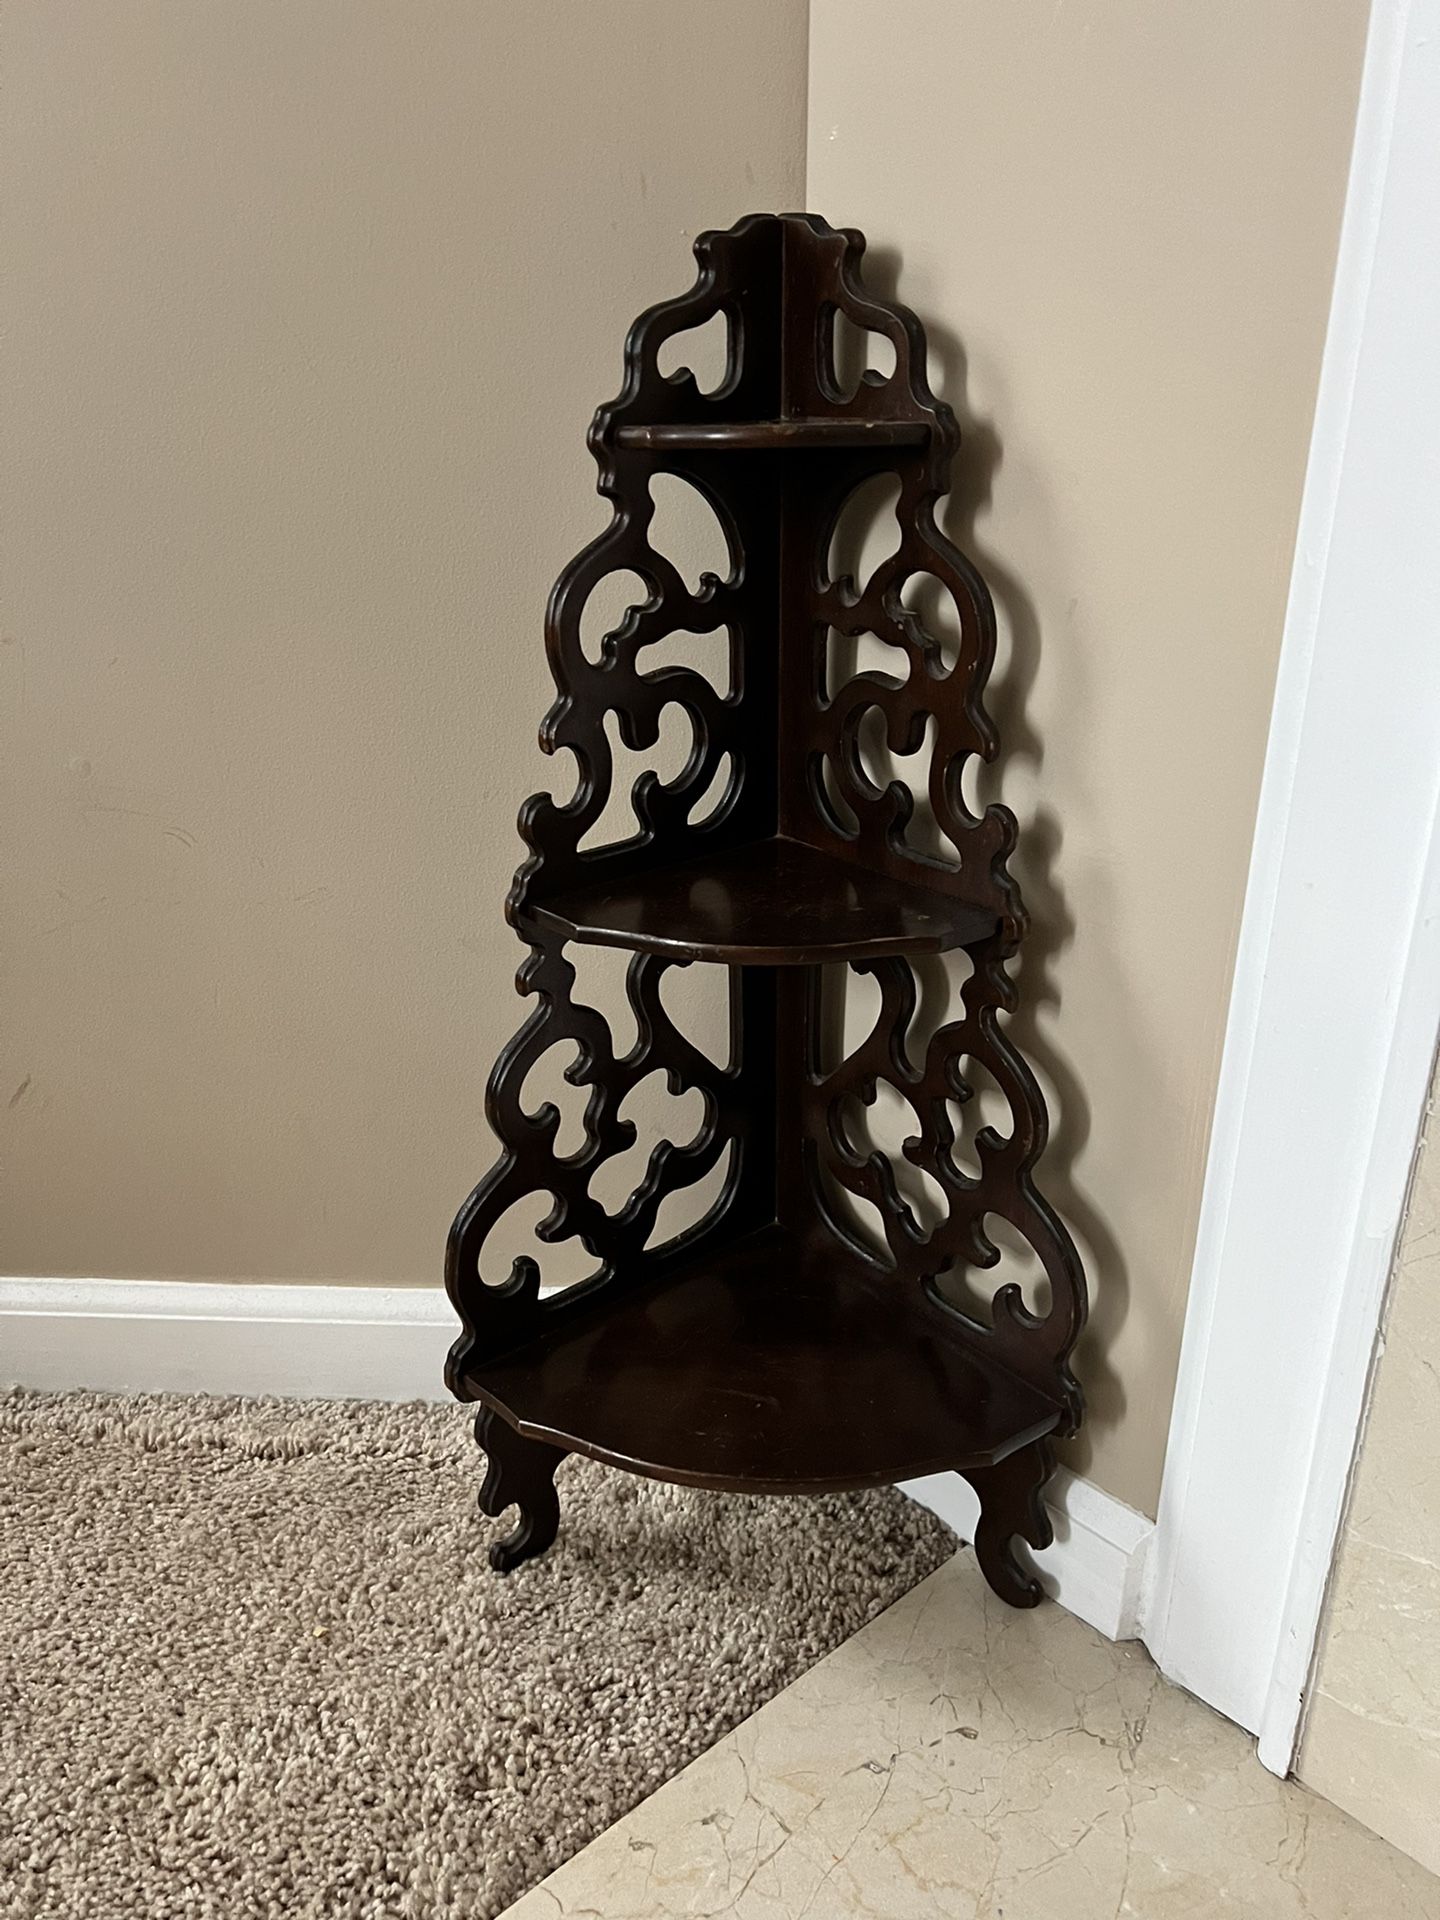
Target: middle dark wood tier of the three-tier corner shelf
{"points": [[771, 903]]}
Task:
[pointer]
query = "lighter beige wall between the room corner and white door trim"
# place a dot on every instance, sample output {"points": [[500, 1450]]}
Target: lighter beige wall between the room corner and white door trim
{"points": [[1120, 222]]}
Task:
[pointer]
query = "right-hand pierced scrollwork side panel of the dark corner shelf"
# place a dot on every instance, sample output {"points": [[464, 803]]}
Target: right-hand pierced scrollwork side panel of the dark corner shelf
{"points": [[932, 694]]}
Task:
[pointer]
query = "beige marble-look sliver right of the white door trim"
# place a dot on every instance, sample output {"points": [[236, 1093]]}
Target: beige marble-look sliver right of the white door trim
{"points": [[1372, 1735]]}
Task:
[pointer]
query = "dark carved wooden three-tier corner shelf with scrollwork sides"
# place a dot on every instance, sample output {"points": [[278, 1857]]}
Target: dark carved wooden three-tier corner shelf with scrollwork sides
{"points": [[769, 1347]]}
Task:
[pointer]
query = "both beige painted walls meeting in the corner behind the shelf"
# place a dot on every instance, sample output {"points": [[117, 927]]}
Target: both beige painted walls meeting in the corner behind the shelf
{"points": [[312, 306]]}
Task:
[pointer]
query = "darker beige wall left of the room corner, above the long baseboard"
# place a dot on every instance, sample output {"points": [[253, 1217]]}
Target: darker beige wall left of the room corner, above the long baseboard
{"points": [[310, 306]]}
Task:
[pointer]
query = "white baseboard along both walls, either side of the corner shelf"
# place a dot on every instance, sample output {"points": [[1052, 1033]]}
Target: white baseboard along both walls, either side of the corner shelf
{"points": [[389, 1343]]}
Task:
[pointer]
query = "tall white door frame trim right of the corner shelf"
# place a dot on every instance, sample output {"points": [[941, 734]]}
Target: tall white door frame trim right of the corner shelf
{"points": [[1337, 982]]}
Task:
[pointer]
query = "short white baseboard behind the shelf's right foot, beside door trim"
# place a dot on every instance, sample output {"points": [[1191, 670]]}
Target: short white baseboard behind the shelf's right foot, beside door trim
{"points": [[1095, 1568]]}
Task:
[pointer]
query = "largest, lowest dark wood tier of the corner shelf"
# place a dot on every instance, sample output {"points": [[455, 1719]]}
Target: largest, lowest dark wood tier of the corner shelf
{"points": [[779, 1364]]}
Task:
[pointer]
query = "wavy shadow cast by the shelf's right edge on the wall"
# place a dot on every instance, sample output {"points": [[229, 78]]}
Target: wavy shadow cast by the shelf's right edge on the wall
{"points": [[1036, 863]]}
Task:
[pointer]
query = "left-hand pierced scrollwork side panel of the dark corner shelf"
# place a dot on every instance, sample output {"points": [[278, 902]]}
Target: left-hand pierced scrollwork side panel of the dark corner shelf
{"points": [[588, 692]]}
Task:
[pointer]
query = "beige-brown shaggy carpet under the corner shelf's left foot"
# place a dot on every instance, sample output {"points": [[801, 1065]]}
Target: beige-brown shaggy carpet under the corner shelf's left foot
{"points": [[252, 1660]]}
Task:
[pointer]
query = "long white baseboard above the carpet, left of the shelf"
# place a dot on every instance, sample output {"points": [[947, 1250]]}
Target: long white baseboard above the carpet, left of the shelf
{"points": [[212, 1337]]}
